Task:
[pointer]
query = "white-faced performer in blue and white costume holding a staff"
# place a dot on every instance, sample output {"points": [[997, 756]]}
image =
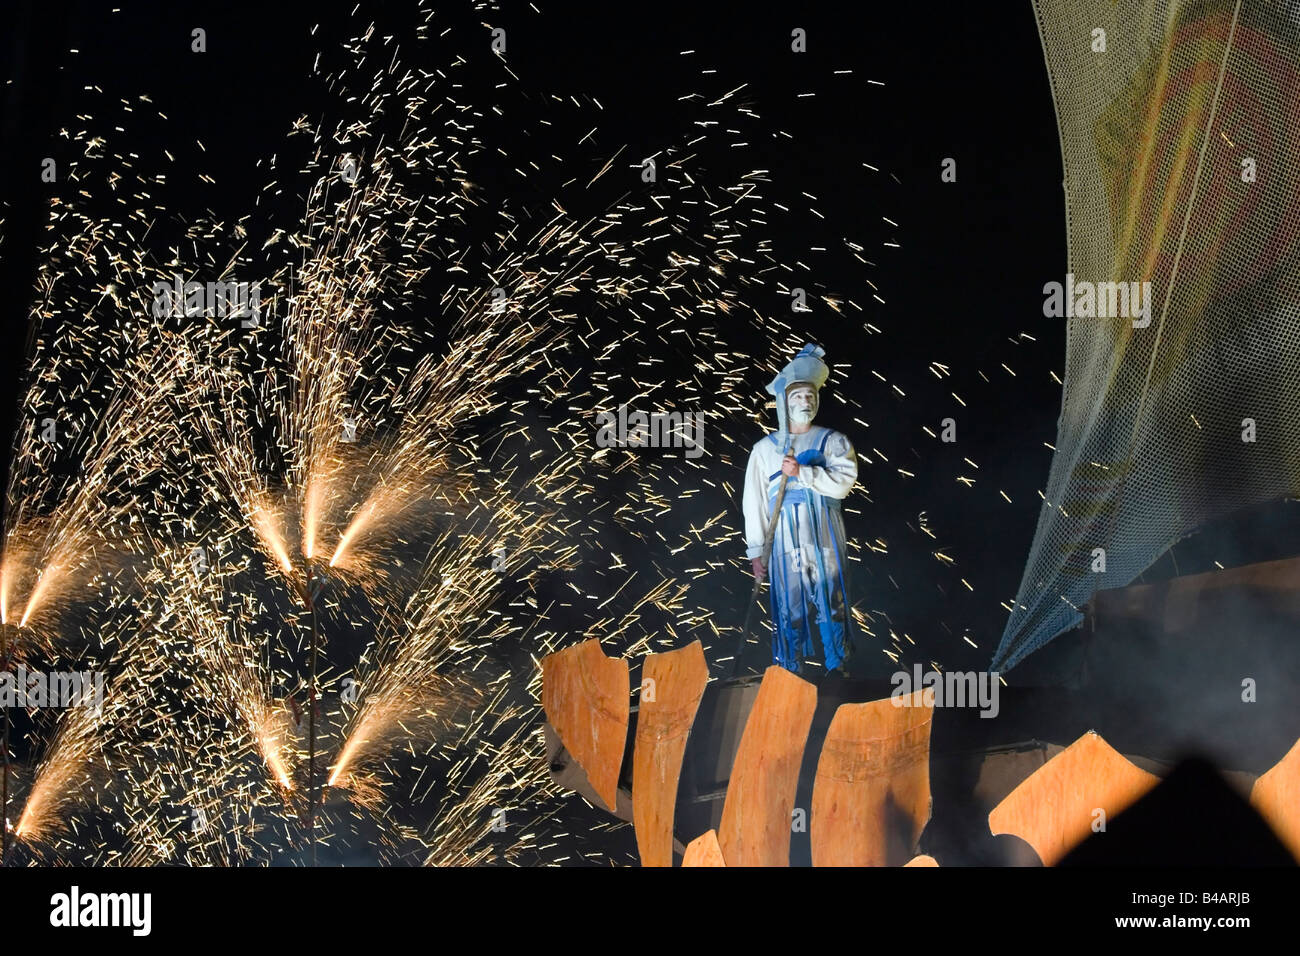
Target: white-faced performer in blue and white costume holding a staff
{"points": [[809, 557]]}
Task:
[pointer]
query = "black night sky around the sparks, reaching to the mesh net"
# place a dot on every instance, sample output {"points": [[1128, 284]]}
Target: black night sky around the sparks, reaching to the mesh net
{"points": [[961, 285]]}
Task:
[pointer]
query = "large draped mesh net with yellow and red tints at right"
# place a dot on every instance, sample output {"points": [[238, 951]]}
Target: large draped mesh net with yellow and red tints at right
{"points": [[1181, 146]]}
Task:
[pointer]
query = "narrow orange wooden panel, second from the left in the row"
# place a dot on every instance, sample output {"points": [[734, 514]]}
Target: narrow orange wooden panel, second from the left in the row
{"points": [[671, 687]]}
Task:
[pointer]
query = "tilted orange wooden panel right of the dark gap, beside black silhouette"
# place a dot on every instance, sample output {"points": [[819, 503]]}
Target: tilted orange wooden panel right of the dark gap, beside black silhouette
{"points": [[1055, 808]]}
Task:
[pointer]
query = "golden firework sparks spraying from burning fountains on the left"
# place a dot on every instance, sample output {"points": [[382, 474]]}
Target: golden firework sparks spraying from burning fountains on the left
{"points": [[405, 448]]}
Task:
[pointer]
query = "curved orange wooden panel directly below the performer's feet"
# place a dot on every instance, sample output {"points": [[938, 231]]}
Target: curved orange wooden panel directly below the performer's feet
{"points": [[756, 828]]}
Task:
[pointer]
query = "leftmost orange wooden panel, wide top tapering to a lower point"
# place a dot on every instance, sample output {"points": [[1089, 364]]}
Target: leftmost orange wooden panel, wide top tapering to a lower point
{"points": [[586, 698]]}
